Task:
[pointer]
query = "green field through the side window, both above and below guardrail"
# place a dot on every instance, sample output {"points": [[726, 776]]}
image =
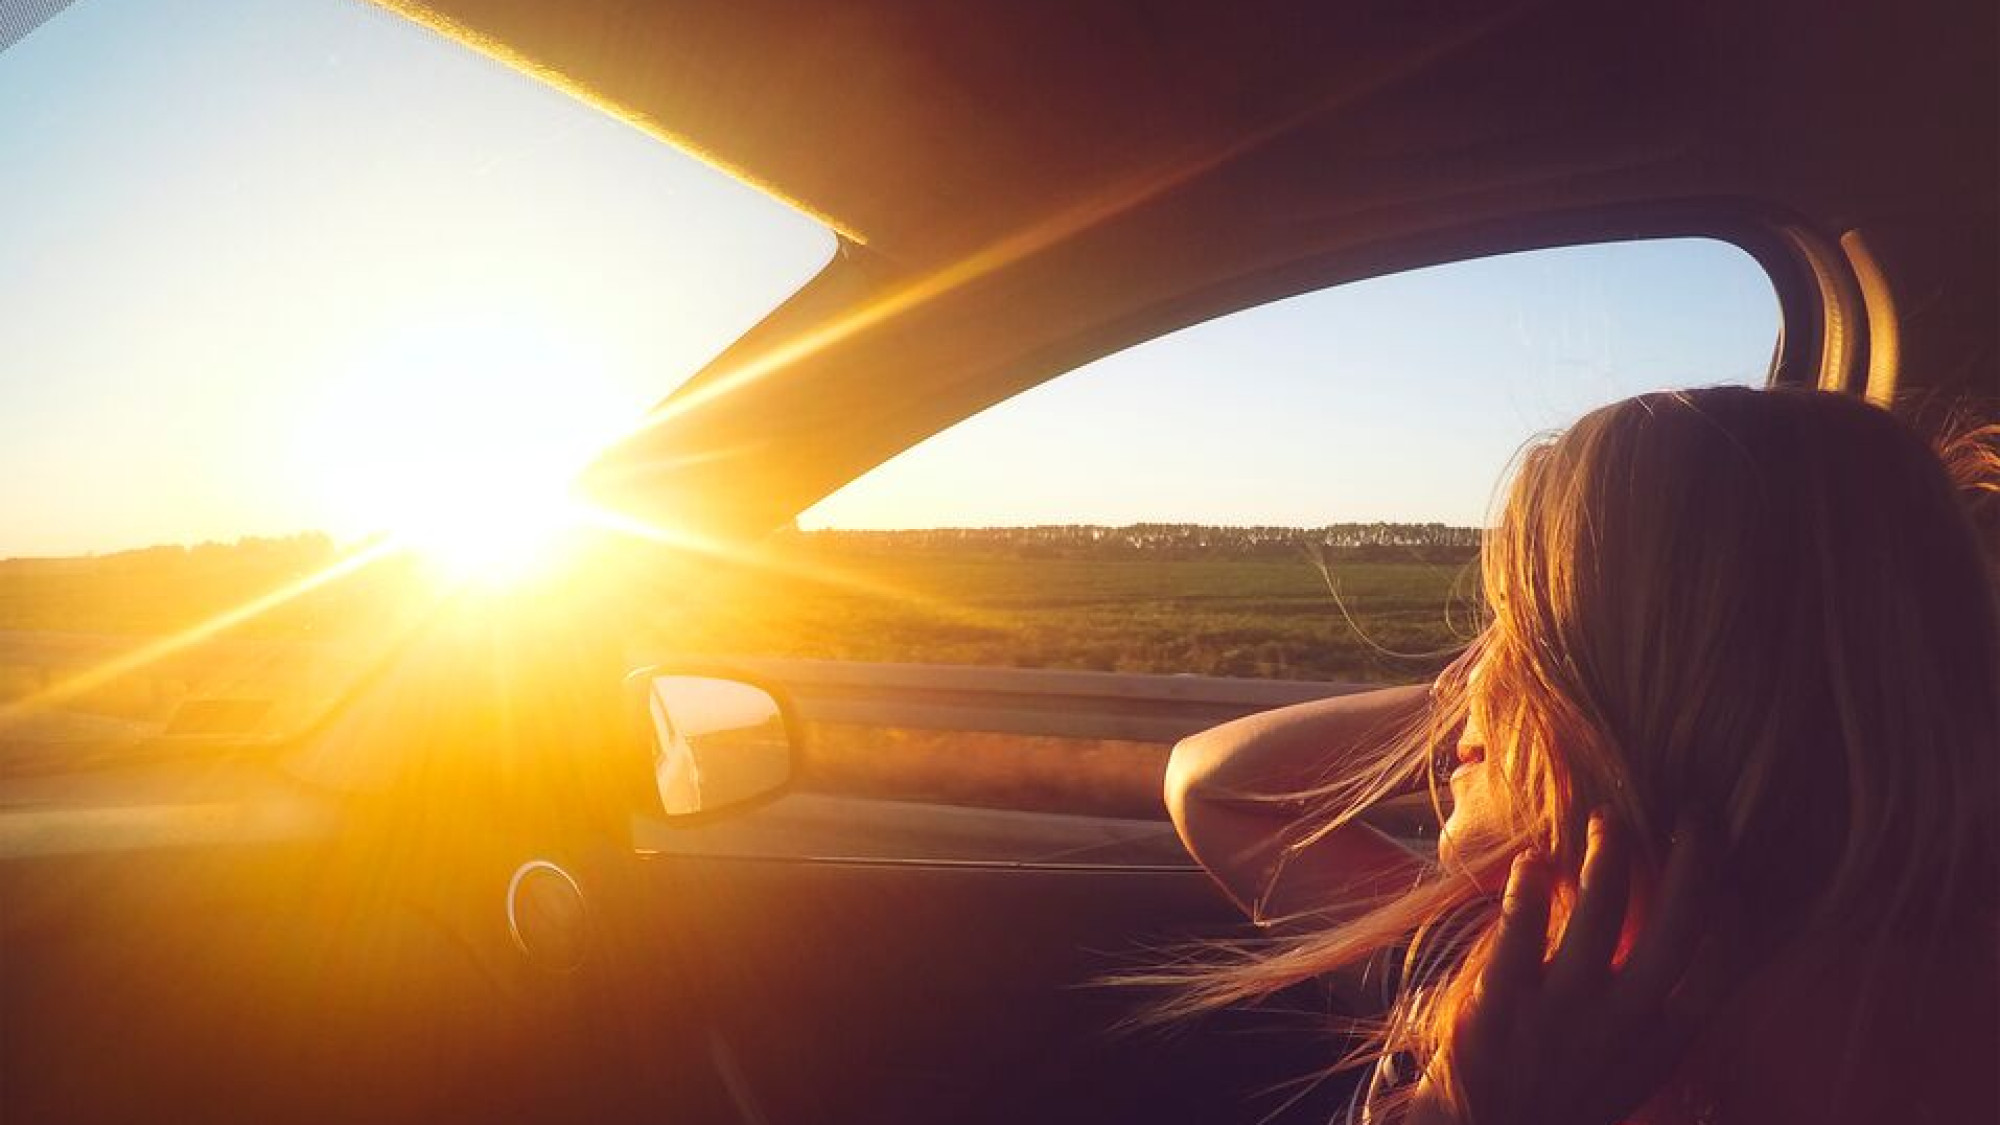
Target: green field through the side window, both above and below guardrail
{"points": [[1135, 612]]}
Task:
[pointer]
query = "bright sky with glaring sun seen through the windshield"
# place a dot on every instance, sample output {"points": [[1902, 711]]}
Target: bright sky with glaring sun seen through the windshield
{"points": [[271, 265]]}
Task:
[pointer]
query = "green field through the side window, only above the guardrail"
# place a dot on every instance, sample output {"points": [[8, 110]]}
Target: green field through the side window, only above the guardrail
{"points": [[1233, 618]]}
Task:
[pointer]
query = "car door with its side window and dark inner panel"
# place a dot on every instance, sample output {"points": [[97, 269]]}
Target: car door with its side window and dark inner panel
{"points": [[995, 640]]}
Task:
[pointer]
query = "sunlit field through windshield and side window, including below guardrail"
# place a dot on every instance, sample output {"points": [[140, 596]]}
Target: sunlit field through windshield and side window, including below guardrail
{"points": [[1215, 602]]}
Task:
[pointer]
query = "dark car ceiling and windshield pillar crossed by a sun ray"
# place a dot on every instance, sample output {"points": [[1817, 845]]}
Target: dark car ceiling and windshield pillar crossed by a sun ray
{"points": [[1025, 187]]}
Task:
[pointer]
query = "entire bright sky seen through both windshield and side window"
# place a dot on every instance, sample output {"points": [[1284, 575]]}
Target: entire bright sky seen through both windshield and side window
{"points": [[273, 265]]}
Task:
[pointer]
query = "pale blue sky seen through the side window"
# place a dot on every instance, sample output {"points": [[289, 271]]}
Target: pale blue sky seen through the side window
{"points": [[1393, 399]]}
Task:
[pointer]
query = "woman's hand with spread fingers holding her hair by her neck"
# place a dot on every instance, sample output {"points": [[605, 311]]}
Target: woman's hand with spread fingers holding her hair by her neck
{"points": [[1577, 1040]]}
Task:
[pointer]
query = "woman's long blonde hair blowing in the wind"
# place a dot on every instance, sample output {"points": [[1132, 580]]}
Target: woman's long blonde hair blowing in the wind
{"points": [[1761, 608]]}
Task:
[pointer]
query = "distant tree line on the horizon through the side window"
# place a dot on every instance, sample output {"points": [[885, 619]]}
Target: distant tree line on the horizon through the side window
{"points": [[1429, 541]]}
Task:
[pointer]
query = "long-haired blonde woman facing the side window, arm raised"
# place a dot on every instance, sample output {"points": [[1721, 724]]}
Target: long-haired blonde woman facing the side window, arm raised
{"points": [[1723, 794]]}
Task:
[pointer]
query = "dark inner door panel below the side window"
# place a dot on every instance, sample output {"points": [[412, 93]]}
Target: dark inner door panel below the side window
{"points": [[919, 992]]}
